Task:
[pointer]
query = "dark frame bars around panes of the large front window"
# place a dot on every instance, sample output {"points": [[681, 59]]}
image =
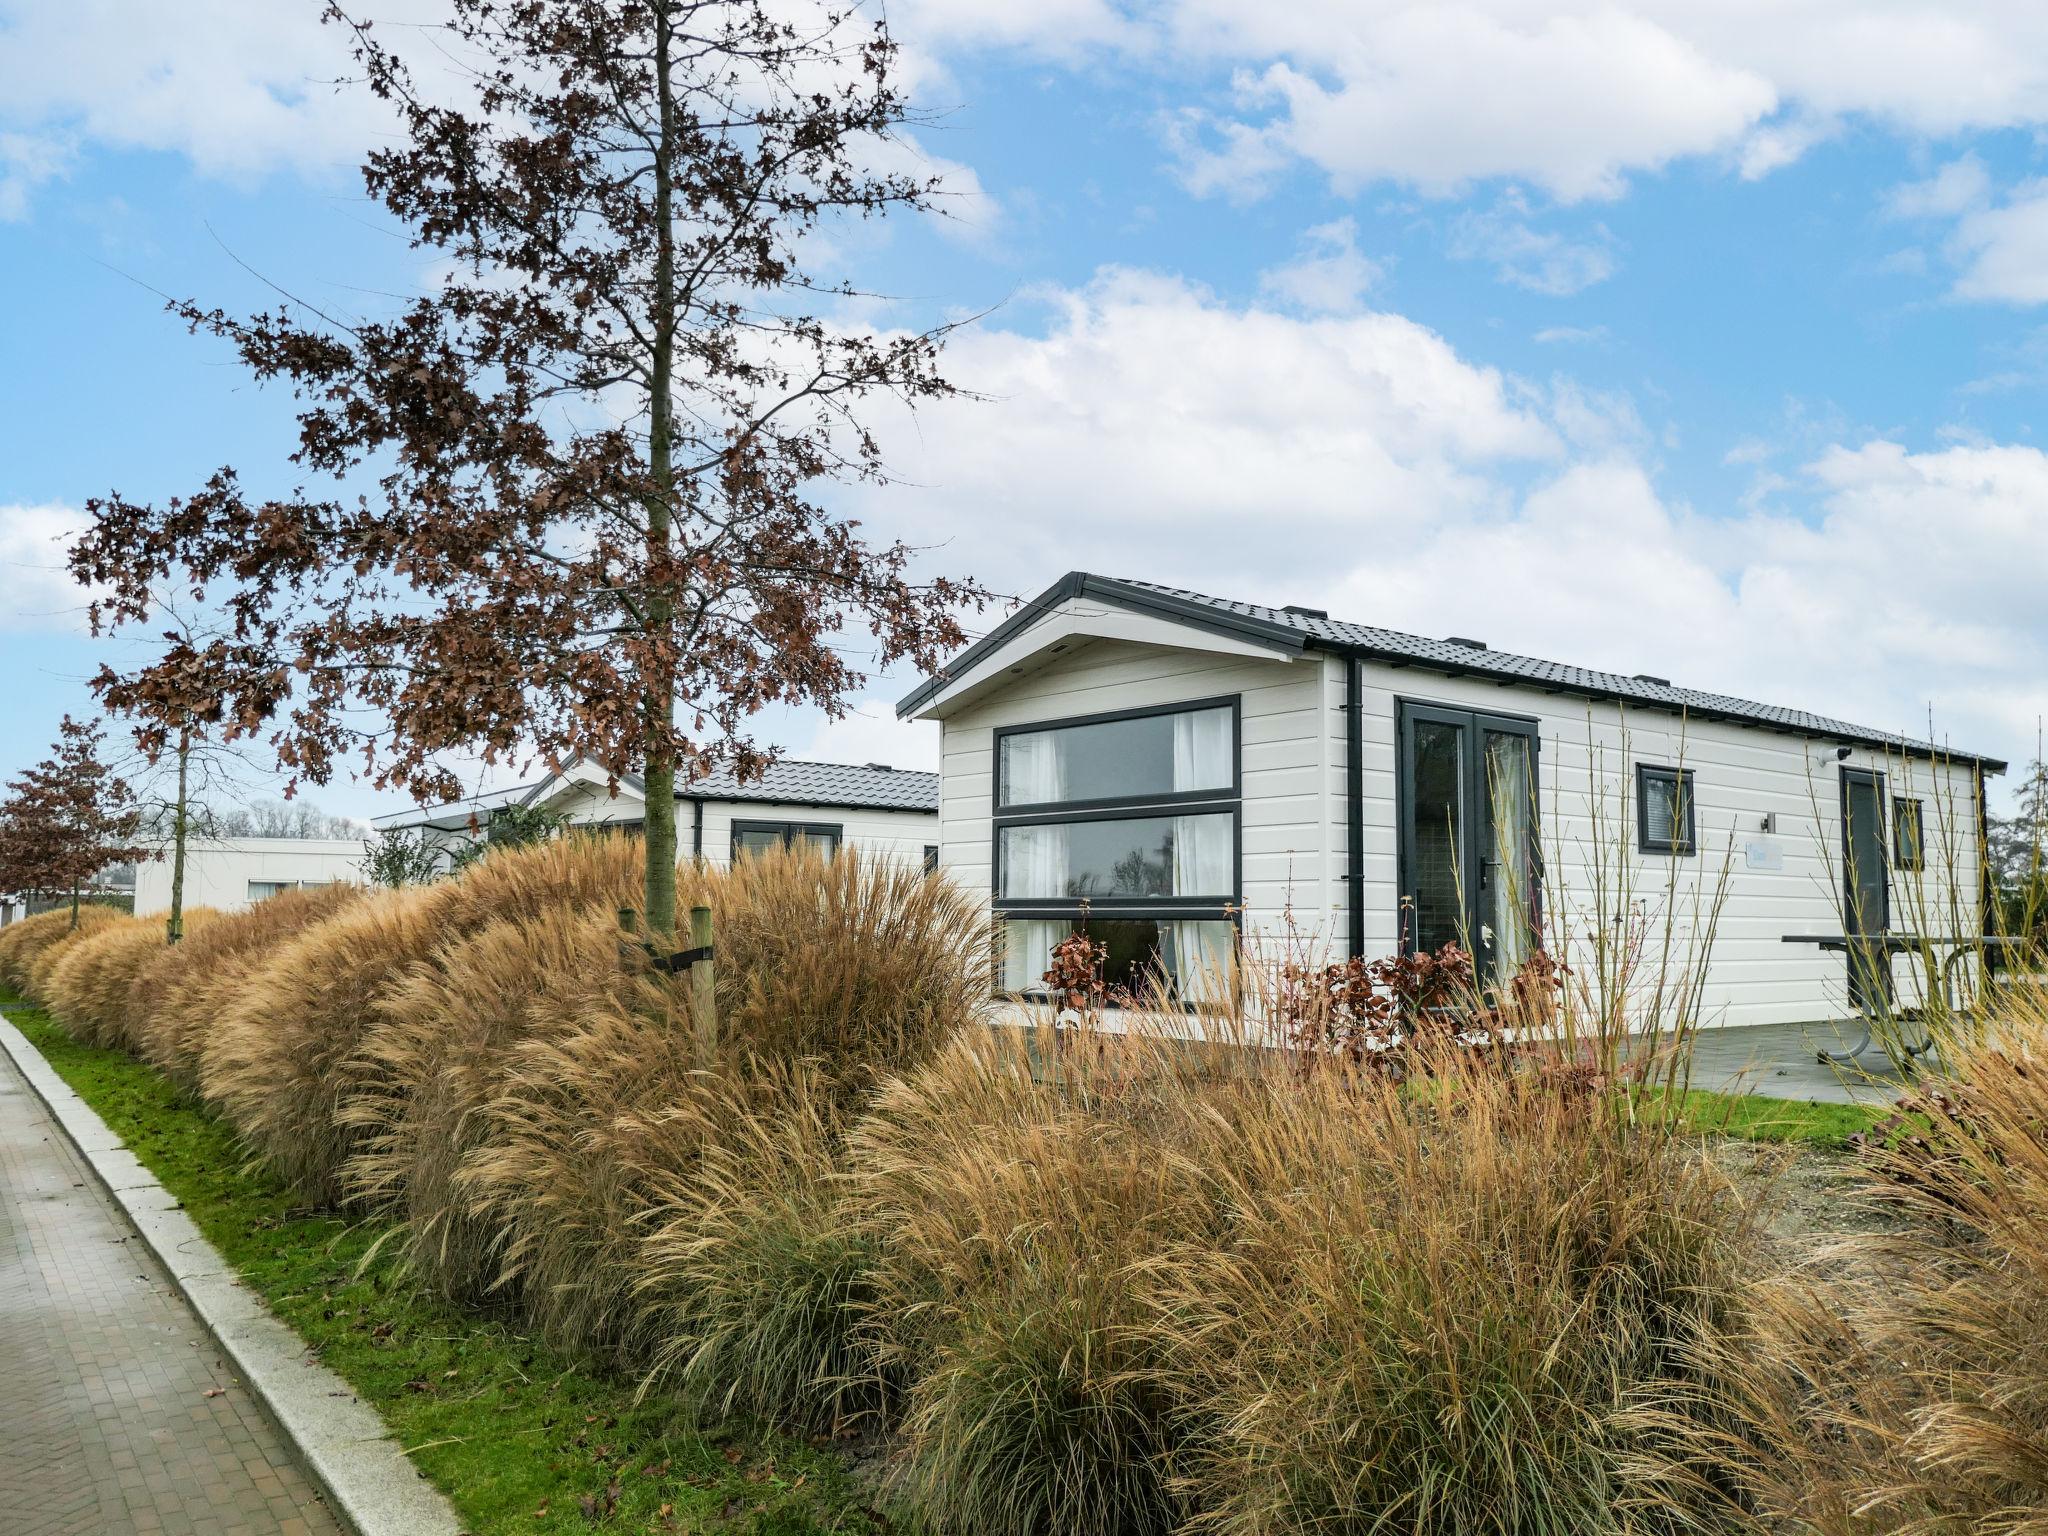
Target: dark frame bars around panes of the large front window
{"points": [[1080, 910]]}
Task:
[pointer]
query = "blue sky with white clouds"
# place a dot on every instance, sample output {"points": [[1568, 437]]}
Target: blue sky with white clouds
{"points": [[1687, 337]]}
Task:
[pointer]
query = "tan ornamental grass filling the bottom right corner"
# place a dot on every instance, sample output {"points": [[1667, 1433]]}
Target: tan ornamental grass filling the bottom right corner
{"points": [[1900, 1381]]}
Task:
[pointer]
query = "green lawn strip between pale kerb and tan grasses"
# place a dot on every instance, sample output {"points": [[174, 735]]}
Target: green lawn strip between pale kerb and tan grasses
{"points": [[517, 1437]]}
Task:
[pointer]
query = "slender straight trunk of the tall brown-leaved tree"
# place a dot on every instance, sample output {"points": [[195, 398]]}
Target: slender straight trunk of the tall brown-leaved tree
{"points": [[658, 675]]}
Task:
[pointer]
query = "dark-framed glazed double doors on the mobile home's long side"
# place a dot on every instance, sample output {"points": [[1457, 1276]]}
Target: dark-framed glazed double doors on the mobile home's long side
{"points": [[1467, 812]]}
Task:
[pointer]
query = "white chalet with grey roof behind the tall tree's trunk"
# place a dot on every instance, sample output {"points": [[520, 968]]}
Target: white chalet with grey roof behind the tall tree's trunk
{"points": [[826, 804]]}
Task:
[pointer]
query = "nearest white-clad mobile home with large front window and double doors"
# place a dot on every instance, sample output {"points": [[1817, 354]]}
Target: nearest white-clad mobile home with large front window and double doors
{"points": [[1187, 775]]}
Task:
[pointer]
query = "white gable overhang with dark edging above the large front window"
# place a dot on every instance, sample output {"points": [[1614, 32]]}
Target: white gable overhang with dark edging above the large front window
{"points": [[1080, 609]]}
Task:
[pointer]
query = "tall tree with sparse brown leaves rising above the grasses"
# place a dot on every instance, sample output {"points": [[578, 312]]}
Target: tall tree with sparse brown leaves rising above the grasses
{"points": [[601, 445]]}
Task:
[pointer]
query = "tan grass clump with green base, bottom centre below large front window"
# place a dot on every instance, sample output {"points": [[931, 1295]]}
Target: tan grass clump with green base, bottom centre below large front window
{"points": [[1019, 1224]]}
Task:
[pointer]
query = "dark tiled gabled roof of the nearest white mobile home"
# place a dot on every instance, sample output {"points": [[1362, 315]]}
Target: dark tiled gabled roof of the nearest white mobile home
{"points": [[1291, 630]]}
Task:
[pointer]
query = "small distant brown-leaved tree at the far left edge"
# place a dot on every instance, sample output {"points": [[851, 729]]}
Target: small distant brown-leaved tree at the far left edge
{"points": [[67, 820]]}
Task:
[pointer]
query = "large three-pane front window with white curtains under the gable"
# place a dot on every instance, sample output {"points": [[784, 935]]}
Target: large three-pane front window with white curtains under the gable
{"points": [[1125, 824]]}
